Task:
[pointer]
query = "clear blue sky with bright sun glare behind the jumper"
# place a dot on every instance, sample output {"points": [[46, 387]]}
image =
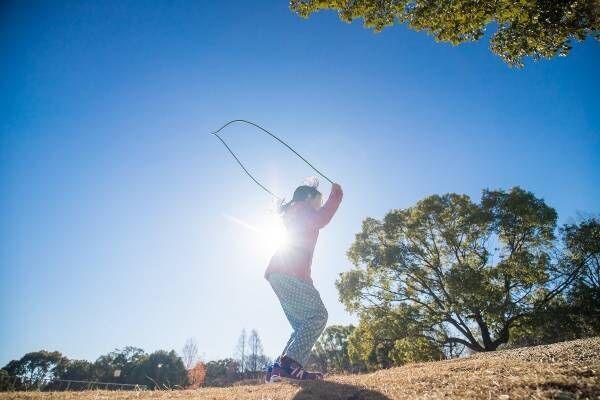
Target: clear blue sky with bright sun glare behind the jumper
{"points": [[116, 203]]}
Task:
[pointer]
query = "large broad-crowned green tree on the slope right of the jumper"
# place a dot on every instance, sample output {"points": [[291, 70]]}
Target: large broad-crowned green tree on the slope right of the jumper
{"points": [[454, 272]]}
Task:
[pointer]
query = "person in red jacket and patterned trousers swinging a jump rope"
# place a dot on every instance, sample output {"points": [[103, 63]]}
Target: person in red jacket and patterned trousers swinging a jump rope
{"points": [[289, 273]]}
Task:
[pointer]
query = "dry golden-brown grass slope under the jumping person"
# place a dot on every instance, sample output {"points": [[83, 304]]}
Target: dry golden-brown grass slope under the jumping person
{"points": [[569, 370]]}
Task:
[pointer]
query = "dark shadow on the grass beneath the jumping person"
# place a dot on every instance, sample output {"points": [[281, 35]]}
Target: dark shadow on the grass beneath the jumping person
{"points": [[336, 391]]}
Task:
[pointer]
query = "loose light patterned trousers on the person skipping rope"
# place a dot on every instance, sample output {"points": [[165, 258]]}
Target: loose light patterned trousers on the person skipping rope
{"points": [[304, 309]]}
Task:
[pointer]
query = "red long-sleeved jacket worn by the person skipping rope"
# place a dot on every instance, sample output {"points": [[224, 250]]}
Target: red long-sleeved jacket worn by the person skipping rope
{"points": [[302, 222]]}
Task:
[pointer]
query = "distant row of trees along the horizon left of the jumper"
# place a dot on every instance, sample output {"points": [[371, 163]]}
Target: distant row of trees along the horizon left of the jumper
{"points": [[161, 369]]}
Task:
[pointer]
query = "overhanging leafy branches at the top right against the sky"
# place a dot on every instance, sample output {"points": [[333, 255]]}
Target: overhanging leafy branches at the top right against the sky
{"points": [[530, 28]]}
